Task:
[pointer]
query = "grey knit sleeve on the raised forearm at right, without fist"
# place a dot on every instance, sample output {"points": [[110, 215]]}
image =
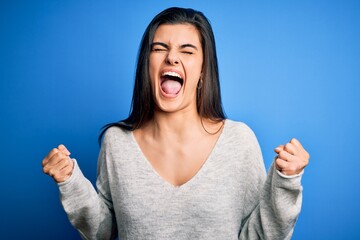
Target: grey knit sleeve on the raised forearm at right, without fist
{"points": [[279, 205]]}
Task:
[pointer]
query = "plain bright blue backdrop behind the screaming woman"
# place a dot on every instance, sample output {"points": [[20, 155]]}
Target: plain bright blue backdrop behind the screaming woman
{"points": [[288, 69]]}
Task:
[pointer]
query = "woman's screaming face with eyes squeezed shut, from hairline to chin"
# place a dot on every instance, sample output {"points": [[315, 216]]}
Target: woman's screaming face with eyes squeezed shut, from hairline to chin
{"points": [[175, 66]]}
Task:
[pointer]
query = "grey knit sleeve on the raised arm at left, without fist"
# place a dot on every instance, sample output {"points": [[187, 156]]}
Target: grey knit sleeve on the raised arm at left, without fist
{"points": [[89, 211]]}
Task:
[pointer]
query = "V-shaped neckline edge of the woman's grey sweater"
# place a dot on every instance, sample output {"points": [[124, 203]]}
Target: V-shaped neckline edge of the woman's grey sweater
{"points": [[195, 177]]}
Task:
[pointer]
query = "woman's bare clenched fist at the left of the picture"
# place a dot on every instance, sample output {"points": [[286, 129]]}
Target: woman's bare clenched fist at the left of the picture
{"points": [[58, 164]]}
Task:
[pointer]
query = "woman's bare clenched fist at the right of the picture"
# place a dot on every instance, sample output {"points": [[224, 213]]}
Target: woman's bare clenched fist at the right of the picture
{"points": [[292, 158]]}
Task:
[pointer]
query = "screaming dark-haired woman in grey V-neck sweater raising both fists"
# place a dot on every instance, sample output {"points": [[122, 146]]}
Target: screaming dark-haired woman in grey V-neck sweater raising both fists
{"points": [[176, 168]]}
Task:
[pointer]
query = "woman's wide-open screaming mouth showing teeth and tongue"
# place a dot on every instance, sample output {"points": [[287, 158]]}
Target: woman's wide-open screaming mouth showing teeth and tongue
{"points": [[171, 83]]}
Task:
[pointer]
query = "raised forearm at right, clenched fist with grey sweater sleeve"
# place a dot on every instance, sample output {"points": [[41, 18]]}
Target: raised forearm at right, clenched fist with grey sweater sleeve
{"points": [[280, 199]]}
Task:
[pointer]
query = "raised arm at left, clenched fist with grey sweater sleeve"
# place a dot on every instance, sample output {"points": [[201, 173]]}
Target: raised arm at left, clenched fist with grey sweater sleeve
{"points": [[89, 211]]}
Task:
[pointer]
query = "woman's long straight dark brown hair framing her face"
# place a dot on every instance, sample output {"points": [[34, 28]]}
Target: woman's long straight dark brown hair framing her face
{"points": [[208, 95]]}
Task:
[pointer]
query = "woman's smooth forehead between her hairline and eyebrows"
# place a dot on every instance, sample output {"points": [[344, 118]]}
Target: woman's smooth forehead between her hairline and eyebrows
{"points": [[177, 34]]}
